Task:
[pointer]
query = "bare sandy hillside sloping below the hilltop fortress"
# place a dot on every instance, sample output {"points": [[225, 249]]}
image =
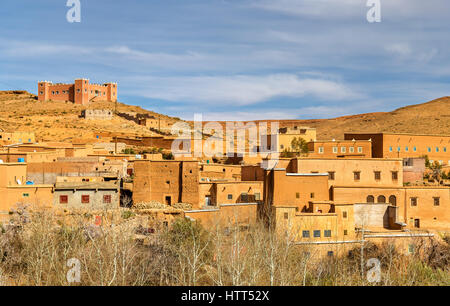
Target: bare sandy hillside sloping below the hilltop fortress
{"points": [[60, 121]]}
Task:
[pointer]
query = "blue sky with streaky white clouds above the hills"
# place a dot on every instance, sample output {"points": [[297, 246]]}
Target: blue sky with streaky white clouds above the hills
{"points": [[235, 59]]}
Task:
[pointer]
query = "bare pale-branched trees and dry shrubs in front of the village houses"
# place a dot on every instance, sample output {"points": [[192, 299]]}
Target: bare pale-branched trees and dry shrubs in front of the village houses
{"points": [[35, 249]]}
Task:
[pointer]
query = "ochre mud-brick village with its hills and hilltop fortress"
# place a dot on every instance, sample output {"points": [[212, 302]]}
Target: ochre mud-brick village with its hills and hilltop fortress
{"points": [[334, 183]]}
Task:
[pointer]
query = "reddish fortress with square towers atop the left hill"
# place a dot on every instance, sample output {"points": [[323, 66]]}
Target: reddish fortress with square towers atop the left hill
{"points": [[80, 92]]}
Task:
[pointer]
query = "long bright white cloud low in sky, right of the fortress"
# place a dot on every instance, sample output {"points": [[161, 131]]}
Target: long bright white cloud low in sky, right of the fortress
{"points": [[241, 89]]}
